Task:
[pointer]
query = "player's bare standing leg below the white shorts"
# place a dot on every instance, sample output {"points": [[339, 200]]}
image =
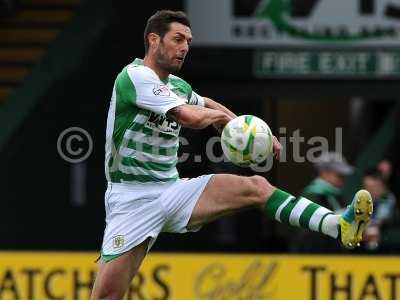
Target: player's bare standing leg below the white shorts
{"points": [[113, 277]]}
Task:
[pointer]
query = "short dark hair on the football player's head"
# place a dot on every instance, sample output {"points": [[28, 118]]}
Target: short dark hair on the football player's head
{"points": [[159, 23]]}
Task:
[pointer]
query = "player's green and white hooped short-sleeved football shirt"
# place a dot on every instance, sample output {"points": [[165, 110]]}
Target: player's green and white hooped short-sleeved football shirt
{"points": [[141, 142]]}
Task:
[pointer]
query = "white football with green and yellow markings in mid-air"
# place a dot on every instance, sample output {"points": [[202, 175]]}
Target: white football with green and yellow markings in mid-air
{"points": [[247, 140]]}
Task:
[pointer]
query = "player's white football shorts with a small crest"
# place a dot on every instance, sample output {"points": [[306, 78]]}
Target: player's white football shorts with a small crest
{"points": [[135, 212]]}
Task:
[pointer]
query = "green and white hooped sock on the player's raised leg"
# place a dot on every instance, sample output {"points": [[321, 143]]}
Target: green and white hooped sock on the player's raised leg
{"points": [[301, 212]]}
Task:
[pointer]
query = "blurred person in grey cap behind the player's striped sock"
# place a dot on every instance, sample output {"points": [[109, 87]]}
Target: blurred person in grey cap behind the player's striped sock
{"points": [[332, 169]]}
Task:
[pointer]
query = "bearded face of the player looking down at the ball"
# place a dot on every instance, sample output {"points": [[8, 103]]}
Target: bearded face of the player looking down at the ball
{"points": [[172, 49]]}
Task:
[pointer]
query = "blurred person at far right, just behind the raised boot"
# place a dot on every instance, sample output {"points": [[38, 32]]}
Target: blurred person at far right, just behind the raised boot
{"points": [[375, 182]]}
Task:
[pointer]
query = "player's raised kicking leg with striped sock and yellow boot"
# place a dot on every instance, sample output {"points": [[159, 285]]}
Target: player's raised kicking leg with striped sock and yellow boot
{"points": [[227, 193]]}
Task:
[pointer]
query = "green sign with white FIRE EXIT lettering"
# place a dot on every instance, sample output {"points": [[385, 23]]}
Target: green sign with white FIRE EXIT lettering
{"points": [[327, 63]]}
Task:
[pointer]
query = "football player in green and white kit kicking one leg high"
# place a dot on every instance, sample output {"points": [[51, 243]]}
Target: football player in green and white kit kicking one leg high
{"points": [[145, 195]]}
